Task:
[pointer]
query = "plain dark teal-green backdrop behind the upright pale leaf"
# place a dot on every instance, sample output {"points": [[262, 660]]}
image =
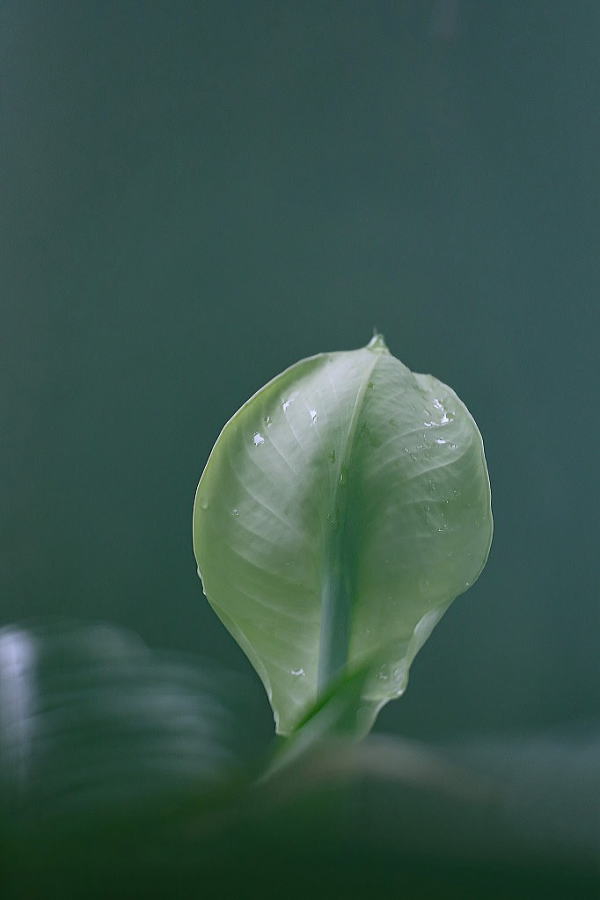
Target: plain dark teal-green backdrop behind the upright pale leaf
{"points": [[196, 194]]}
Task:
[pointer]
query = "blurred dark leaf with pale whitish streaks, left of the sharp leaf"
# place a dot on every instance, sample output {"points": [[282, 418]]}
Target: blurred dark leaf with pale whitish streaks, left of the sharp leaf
{"points": [[92, 723]]}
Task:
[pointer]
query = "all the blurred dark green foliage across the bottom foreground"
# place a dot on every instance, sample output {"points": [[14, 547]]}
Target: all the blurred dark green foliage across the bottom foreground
{"points": [[122, 777]]}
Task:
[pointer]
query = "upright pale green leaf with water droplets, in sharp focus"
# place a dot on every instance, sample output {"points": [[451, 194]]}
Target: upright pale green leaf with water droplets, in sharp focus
{"points": [[342, 509]]}
